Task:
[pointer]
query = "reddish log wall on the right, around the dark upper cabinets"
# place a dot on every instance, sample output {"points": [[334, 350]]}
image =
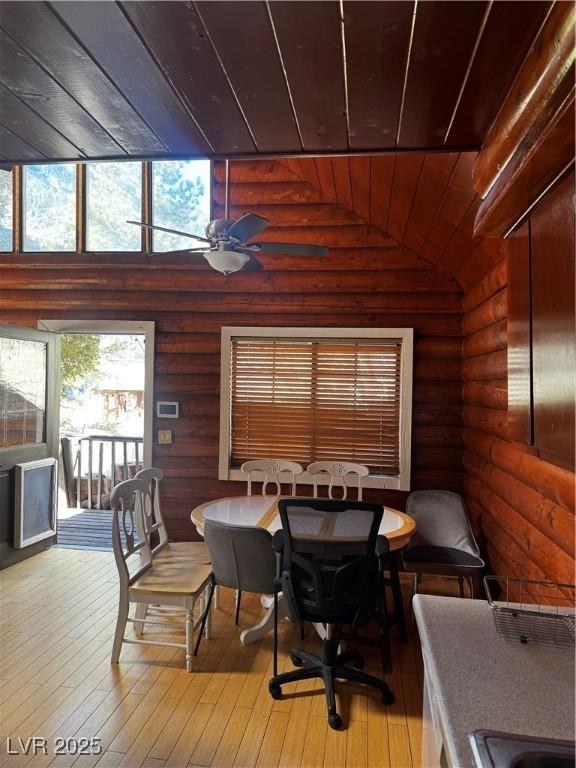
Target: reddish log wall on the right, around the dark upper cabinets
{"points": [[522, 506]]}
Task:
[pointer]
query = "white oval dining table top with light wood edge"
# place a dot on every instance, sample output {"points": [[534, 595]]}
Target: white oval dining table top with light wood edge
{"points": [[249, 510]]}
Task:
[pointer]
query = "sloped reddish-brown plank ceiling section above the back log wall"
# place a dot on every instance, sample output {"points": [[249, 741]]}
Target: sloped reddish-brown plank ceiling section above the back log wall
{"points": [[425, 201]]}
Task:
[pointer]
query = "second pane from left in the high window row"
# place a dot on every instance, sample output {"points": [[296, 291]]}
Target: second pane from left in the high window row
{"points": [[50, 207]]}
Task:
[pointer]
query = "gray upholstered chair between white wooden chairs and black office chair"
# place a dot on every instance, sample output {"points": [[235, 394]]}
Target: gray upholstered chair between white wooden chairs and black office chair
{"points": [[242, 558]]}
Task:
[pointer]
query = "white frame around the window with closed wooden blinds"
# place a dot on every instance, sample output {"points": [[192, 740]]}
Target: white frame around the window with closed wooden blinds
{"points": [[405, 336]]}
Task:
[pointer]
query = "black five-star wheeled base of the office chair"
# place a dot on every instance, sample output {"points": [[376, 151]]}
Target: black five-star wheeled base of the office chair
{"points": [[329, 670]]}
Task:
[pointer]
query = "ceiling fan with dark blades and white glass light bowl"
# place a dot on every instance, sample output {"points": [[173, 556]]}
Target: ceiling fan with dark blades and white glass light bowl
{"points": [[226, 246]]}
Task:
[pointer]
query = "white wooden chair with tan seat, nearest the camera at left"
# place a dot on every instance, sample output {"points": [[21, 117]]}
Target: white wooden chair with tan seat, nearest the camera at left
{"points": [[142, 581]]}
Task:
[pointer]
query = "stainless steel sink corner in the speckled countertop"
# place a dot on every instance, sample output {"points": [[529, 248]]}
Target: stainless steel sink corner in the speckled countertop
{"points": [[493, 749]]}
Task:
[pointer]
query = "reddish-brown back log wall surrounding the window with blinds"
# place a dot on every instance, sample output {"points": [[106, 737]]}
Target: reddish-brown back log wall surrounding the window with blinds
{"points": [[368, 279]]}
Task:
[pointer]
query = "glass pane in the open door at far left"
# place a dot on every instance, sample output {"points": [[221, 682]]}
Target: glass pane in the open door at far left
{"points": [[22, 392]]}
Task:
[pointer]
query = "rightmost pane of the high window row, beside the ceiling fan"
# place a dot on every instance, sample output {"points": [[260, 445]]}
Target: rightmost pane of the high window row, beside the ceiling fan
{"points": [[180, 200]]}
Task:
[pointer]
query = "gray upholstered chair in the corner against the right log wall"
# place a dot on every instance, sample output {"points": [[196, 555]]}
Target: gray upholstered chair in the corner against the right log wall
{"points": [[443, 543]]}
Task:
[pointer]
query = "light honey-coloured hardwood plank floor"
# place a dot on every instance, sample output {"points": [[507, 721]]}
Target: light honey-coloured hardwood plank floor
{"points": [[58, 611]]}
